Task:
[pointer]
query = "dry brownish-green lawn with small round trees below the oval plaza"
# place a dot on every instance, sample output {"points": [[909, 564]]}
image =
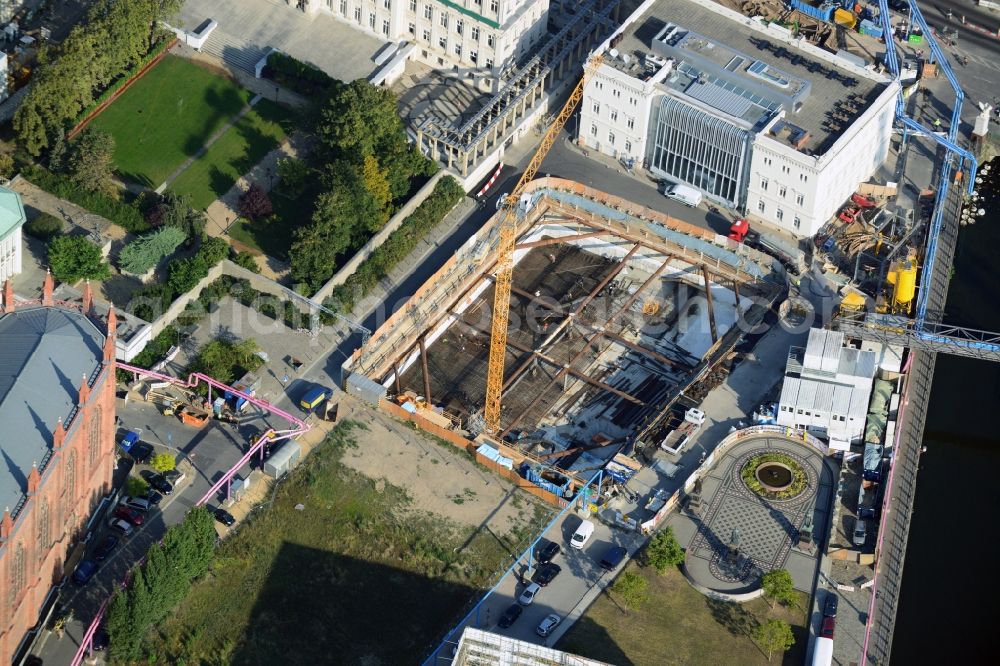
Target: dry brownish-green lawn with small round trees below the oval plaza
{"points": [[679, 625]]}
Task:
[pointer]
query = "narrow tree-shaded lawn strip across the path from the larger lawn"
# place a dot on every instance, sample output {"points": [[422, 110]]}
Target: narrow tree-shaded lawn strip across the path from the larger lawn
{"points": [[235, 153]]}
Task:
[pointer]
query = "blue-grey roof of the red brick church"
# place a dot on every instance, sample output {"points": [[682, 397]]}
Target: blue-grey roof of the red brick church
{"points": [[44, 354]]}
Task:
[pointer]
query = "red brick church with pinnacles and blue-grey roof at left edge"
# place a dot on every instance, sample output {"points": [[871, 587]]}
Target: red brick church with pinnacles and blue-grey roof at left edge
{"points": [[57, 410]]}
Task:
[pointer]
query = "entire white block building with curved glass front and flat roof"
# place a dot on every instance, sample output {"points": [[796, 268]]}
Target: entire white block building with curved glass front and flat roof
{"points": [[736, 108]]}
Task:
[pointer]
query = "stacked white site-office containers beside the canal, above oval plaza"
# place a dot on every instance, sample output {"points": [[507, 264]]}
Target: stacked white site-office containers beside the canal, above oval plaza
{"points": [[827, 387]]}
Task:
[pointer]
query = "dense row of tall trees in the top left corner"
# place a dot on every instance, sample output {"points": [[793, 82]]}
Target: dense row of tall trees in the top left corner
{"points": [[115, 37]]}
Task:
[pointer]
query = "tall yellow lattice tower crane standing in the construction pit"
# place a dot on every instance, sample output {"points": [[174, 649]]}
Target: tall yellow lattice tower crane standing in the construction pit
{"points": [[505, 255]]}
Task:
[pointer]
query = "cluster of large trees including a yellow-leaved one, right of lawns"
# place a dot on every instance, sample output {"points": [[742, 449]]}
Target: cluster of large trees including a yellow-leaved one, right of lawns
{"points": [[364, 166]]}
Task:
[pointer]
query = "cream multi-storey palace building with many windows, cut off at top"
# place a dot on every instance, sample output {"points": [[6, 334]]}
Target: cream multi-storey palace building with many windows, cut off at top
{"points": [[480, 37]]}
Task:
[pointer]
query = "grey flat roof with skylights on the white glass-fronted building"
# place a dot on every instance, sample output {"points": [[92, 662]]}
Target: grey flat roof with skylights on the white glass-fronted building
{"points": [[735, 69]]}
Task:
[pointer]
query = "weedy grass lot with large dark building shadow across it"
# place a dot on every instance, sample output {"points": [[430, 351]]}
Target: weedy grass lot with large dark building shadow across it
{"points": [[349, 577]]}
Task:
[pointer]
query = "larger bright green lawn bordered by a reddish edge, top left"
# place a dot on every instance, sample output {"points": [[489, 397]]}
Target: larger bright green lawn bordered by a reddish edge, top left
{"points": [[166, 117]]}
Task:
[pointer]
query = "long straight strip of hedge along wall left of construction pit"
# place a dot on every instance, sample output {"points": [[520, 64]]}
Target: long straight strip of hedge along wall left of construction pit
{"points": [[446, 195]]}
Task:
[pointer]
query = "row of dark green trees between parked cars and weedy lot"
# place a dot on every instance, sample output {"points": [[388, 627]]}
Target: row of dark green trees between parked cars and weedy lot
{"points": [[183, 555]]}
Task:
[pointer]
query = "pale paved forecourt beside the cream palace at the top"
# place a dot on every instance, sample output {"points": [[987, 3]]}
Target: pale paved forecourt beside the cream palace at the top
{"points": [[343, 52]]}
